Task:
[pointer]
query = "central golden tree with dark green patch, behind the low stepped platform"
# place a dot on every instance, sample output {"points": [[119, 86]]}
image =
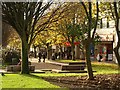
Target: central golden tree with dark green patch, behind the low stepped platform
{"points": [[70, 26]]}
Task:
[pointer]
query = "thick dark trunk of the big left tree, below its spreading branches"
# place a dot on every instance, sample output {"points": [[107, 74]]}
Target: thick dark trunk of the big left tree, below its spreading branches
{"points": [[24, 66]]}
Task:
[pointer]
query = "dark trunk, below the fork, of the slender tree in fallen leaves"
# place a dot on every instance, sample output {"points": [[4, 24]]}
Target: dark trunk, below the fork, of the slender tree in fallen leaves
{"points": [[88, 61]]}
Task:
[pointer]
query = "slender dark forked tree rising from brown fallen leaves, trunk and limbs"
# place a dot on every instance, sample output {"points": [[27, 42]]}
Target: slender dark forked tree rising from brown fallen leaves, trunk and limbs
{"points": [[90, 38]]}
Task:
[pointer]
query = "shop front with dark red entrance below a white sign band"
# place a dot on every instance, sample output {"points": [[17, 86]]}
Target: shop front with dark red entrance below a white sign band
{"points": [[105, 47]]}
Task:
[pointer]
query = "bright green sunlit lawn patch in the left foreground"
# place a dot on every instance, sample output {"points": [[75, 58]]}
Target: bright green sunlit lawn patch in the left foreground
{"points": [[24, 81]]}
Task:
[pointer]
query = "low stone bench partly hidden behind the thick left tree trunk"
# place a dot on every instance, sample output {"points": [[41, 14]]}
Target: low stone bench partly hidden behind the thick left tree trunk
{"points": [[16, 68]]}
